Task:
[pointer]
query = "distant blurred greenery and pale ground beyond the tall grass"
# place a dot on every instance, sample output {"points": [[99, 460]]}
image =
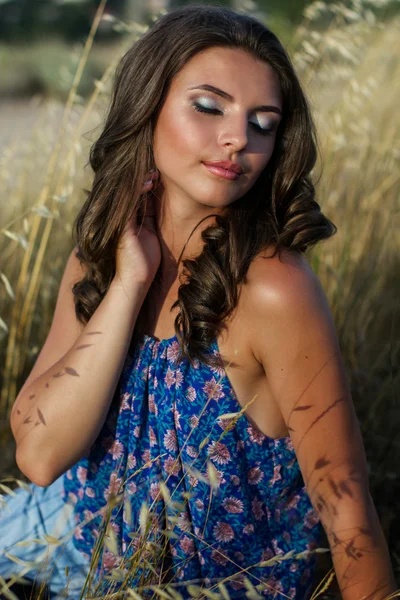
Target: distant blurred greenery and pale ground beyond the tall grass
{"points": [[40, 41]]}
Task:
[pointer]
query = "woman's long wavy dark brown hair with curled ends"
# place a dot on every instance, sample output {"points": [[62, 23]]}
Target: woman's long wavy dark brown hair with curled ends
{"points": [[280, 210]]}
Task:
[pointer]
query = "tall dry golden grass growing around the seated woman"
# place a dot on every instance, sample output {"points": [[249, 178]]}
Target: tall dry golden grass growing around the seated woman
{"points": [[349, 66]]}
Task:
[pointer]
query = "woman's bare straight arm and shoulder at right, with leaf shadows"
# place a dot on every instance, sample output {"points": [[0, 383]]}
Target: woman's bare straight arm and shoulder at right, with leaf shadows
{"points": [[295, 341]]}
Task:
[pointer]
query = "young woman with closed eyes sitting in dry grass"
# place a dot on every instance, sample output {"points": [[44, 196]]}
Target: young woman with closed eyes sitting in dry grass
{"points": [[183, 302]]}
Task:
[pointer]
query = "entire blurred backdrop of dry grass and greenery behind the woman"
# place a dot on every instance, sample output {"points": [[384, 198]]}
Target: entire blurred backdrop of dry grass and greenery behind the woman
{"points": [[57, 58]]}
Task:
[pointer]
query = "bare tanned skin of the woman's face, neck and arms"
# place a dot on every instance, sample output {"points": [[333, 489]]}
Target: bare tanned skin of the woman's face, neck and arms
{"points": [[284, 313]]}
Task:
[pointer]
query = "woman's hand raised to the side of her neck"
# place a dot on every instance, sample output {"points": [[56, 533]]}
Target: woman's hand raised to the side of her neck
{"points": [[139, 252]]}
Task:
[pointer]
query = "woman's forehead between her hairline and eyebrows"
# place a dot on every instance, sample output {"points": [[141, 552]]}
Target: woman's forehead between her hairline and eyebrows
{"points": [[233, 70]]}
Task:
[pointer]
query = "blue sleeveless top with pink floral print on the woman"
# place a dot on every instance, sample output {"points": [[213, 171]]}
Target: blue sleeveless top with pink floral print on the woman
{"points": [[176, 458]]}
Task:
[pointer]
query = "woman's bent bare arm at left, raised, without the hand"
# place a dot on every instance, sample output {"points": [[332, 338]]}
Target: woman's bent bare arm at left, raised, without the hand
{"points": [[57, 417]]}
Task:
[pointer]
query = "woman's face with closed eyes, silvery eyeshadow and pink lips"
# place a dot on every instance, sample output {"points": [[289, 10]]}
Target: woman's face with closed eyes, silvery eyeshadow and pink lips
{"points": [[245, 111]]}
